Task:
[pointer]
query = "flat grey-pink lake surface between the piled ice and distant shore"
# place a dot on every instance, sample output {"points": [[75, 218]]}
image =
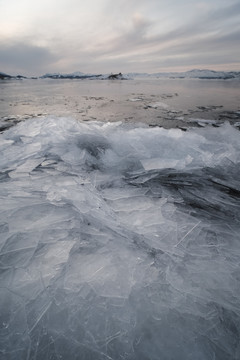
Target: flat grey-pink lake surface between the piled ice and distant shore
{"points": [[164, 102]]}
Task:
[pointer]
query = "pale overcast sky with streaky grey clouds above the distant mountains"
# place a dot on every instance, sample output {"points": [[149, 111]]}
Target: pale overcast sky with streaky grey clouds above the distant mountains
{"points": [[103, 36]]}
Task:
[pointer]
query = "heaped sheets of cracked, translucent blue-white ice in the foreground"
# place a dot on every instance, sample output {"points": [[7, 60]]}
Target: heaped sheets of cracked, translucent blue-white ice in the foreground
{"points": [[119, 242]]}
